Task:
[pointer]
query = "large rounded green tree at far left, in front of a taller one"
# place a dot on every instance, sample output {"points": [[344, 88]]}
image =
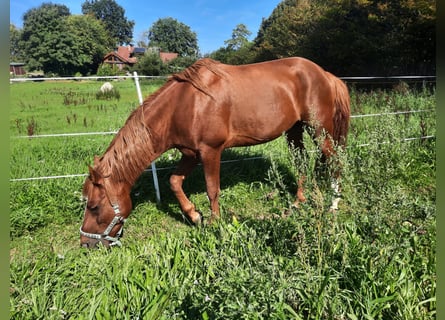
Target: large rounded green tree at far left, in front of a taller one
{"points": [[54, 41]]}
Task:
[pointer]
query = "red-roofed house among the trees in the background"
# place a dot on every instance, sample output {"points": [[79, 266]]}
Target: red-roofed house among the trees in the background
{"points": [[128, 56]]}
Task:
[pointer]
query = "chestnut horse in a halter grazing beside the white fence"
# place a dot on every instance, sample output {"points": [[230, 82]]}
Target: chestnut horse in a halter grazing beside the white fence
{"points": [[201, 111]]}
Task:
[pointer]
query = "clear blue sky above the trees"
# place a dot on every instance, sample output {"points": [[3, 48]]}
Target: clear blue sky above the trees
{"points": [[212, 20]]}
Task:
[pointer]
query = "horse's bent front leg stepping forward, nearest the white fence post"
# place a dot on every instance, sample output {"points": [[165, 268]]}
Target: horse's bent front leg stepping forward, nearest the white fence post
{"points": [[185, 166]]}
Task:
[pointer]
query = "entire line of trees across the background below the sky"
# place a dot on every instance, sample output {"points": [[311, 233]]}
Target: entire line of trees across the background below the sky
{"points": [[346, 37]]}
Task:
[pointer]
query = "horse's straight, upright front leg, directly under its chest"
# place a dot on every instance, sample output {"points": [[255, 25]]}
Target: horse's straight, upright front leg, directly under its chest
{"points": [[211, 161]]}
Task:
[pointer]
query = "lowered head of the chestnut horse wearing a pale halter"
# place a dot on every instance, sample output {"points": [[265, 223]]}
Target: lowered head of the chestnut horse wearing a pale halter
{"points": [[108, 204]]}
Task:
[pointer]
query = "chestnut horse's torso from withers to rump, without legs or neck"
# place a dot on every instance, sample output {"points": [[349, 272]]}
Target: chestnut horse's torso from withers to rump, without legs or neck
{"points": [[254, 103]]}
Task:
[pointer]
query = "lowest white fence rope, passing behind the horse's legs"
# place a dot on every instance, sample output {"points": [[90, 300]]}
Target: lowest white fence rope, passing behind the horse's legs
{"points": [[222, 162]]}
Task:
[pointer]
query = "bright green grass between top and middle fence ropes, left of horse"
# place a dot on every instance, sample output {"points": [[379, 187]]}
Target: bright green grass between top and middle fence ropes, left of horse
{"points": [[69, 106]]}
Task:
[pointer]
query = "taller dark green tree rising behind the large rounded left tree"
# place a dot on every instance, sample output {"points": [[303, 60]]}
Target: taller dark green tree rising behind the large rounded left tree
{"points": [[113, 17]]}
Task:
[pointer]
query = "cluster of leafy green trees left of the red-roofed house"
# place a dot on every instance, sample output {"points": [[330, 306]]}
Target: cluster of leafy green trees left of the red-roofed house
{"points": [[56, 42]]}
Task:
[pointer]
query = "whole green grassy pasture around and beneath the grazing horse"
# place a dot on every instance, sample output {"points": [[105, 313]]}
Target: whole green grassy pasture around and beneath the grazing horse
{"points": [[375, 258]]}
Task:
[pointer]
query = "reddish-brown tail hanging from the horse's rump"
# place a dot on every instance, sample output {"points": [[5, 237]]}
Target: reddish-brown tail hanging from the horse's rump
{"points": [[342, 110]]}
